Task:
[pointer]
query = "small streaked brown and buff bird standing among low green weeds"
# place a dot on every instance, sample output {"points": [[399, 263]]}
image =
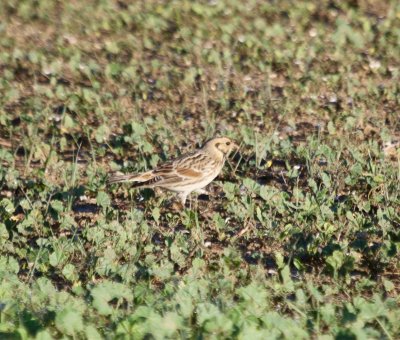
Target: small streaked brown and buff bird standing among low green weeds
{"points": [[183, 175]]}
